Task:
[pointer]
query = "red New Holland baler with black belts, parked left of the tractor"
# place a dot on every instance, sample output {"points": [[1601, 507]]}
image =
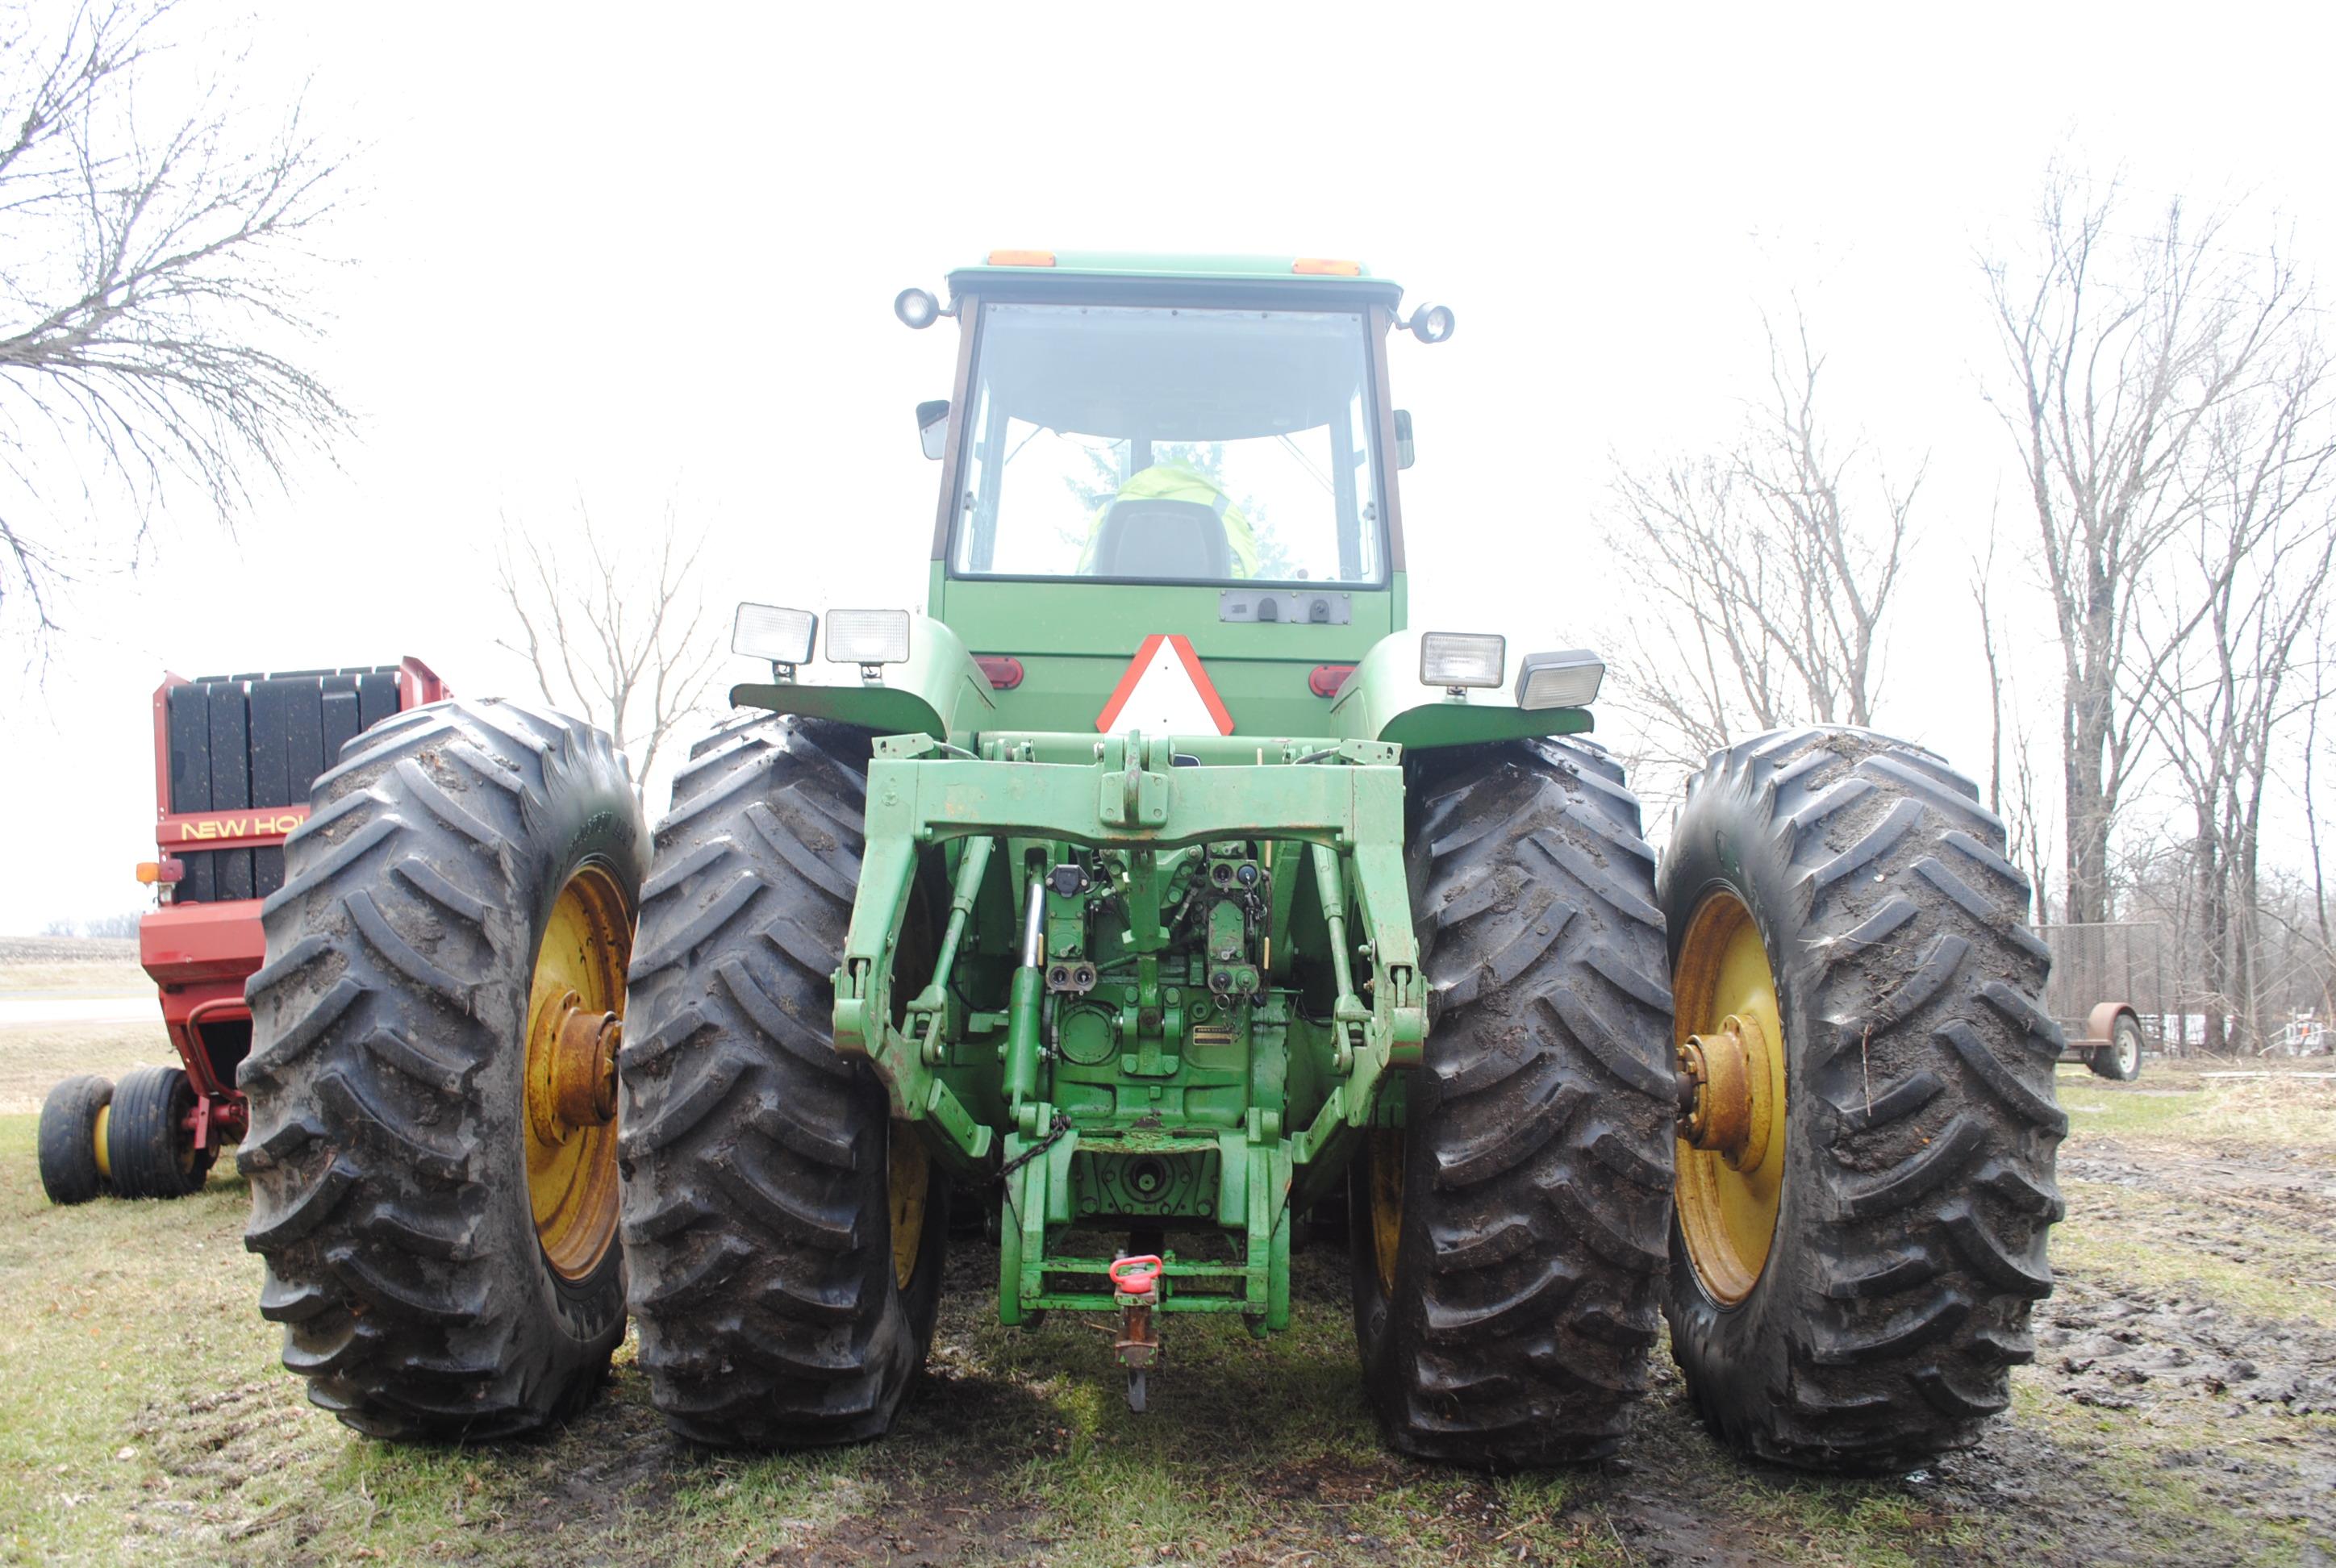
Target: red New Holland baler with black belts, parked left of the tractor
{"points": [[235, 761]]}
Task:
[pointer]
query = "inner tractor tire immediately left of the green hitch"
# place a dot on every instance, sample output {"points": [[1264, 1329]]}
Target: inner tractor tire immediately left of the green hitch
{"points": [[758, 1160]]}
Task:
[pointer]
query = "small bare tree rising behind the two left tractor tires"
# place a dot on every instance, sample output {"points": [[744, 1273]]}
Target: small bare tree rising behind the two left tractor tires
{"points": [[618, 637]]}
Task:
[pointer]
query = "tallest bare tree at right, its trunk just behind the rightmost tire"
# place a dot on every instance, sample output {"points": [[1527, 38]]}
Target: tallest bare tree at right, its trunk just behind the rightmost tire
{"points": [[2120, 352]]}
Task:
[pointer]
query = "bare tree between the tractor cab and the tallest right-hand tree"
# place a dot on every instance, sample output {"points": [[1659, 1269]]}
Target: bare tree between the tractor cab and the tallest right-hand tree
{"points": [[1772, 571]]}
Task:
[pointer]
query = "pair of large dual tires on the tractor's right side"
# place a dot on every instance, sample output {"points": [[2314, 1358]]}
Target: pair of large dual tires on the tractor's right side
{"points": [[1856, 1296]]}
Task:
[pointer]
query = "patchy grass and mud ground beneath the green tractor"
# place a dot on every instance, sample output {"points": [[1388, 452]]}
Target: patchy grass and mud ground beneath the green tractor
{"points": [[2183, 1410]]}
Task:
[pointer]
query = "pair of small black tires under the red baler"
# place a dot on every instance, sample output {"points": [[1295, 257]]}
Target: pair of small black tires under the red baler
{"points": [[127, 1139]]}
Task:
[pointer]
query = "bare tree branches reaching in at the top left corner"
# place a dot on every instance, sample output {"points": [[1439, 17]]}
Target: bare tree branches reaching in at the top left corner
{"points": [[153, 277]]}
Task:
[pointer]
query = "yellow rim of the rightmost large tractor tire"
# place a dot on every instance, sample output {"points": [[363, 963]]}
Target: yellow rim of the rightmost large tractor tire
{"points": [[1732, 1153]]}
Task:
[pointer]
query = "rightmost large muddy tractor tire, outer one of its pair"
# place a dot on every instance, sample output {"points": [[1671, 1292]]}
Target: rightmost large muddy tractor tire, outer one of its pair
{"points": [[1917, 1181]]}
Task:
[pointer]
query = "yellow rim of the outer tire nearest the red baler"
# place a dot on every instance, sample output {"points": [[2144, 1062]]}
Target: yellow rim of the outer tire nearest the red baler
{"points": [[576, 1011]]}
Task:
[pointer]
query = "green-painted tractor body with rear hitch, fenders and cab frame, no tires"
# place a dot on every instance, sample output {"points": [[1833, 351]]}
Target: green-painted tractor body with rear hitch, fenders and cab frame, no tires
{"points": [[1228, 985]]}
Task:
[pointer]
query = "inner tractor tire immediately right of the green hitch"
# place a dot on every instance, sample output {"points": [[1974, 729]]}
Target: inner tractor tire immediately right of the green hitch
{"points": [[1513, 1321]]}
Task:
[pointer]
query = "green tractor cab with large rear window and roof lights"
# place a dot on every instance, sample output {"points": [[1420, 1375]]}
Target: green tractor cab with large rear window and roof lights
{"points": [[1202, 447]]}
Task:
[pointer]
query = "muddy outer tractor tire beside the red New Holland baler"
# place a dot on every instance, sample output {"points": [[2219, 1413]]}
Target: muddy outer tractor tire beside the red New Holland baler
{"points": [[389, 1076]]}
